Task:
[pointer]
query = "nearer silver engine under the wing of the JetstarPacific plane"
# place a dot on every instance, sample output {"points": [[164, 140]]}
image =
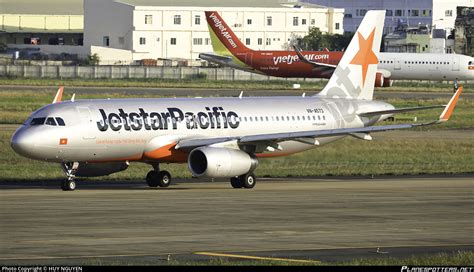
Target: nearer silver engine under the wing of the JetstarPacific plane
{"points": [[218, 162]]}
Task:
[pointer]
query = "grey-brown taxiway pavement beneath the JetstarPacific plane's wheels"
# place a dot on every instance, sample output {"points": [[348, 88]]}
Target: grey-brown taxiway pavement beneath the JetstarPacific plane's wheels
{"points": [[39, 223]]}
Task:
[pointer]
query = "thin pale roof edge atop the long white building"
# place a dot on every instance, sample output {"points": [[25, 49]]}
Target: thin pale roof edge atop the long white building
{"points": [[219, 3]]}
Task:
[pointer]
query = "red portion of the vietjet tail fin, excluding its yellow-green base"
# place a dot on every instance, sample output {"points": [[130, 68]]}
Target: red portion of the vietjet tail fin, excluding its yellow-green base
{"points": [[223, 32]]}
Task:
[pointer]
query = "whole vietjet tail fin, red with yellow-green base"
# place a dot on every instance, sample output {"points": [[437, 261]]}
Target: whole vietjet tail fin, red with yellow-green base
{"points": [[224, 41]]}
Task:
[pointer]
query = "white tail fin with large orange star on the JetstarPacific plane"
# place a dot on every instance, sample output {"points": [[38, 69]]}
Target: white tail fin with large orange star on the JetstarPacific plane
{"points": [[354, 76]]}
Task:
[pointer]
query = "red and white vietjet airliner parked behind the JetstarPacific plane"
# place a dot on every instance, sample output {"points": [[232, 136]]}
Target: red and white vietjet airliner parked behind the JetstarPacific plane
{"points": [[230, 51]]}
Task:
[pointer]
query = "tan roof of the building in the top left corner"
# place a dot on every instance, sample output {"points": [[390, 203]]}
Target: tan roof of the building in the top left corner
{"points": [[43, 7]]}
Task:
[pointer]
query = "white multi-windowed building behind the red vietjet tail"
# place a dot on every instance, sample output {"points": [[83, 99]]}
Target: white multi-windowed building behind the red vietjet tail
{"points": [[123, 31]]}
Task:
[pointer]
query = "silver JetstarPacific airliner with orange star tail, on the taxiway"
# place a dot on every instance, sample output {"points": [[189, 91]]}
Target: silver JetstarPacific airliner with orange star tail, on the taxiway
{"points": [[217, 137]]}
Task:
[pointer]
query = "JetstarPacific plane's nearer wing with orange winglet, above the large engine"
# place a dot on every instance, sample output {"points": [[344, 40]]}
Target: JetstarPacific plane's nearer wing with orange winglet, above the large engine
{"points": [[279, 137]]}
